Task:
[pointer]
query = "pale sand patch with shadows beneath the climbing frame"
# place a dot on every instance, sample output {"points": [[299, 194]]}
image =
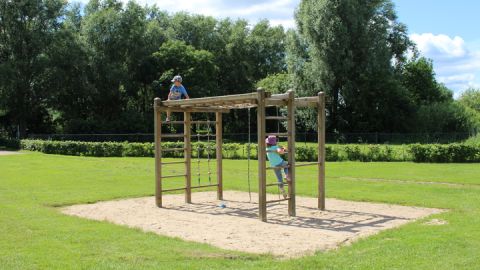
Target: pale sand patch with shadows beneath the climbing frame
{"points": [[237, 227]]}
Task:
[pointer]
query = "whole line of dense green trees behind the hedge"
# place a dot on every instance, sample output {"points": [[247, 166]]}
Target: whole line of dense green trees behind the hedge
{"points": [[95, 68]]}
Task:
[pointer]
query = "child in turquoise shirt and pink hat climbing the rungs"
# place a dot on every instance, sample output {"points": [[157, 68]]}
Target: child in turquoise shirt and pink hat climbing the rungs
{"points": [[274, 153]]}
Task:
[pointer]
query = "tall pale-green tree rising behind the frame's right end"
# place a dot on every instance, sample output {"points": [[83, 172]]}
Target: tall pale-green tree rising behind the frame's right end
{"points": [[346, 48]]}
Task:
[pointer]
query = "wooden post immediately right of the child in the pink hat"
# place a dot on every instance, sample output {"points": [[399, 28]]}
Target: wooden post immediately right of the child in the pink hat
{"points": [[291, 151]]}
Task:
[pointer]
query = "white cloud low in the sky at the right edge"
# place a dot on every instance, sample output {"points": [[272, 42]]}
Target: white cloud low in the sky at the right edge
{"points": [[455, 64]]}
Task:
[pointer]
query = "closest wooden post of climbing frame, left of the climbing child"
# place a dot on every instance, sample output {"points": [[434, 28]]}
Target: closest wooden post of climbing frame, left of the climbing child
{"points": [[262, 163]]}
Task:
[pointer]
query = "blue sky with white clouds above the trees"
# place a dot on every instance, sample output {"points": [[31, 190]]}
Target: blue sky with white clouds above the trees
{"points": [[444, 30]]}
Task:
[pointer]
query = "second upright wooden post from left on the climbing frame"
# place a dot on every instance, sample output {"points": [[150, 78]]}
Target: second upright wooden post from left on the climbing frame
{"points": [[187, 129]]}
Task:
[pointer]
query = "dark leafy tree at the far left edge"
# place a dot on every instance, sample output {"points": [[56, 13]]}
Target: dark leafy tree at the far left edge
{"points": [[27, 29]]}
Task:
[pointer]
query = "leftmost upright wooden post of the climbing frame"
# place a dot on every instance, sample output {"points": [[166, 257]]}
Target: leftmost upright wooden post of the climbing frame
{"points": [[158, 152]]}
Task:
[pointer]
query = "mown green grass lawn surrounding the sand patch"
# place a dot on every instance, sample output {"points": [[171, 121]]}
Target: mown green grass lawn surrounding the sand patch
{"points": [[34, 235]]}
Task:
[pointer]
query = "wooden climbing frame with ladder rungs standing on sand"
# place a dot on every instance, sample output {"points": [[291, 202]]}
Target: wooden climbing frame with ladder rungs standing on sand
{"points": [[223, 104]]}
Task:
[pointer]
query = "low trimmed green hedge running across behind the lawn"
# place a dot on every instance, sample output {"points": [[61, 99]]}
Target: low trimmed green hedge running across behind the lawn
{"points": [[417, 152]]}
